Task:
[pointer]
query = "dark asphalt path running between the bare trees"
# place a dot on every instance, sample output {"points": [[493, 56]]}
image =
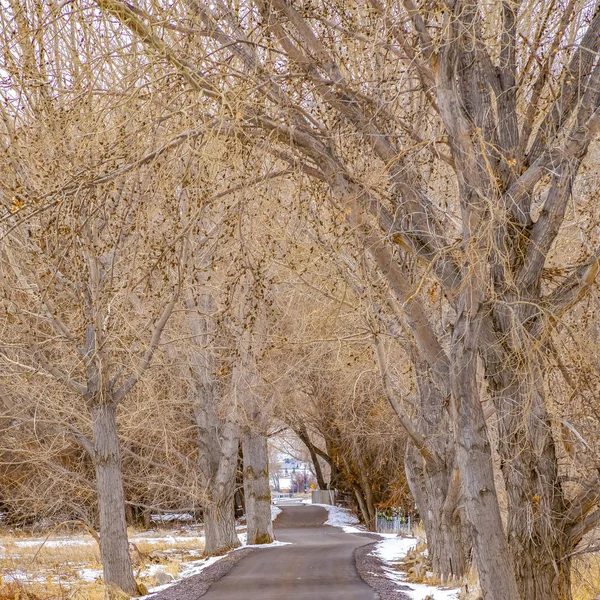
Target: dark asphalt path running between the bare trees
{"points": [[319, 566]]}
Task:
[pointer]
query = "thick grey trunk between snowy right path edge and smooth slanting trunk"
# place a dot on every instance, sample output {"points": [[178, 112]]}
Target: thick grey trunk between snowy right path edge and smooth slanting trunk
{"points": [[431, 486]]}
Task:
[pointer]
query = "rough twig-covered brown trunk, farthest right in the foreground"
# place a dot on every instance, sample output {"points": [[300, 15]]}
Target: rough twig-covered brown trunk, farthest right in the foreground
{"points": [[536, 502]]}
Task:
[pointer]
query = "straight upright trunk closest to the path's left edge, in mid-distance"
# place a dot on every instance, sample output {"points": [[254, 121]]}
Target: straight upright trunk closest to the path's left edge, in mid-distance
{"points": [[256, 489]]}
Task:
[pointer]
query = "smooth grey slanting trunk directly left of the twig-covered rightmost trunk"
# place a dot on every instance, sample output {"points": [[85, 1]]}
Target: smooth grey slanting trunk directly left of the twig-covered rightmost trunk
{"points": [[474, 460]]}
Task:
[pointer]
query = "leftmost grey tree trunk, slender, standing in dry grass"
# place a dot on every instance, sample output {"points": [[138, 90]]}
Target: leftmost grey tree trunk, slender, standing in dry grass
{"points": [[114, 552]]}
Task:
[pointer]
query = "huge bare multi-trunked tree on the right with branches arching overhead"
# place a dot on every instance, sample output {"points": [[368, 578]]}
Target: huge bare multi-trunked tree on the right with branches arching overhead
{"points": [[502, 124]]}
